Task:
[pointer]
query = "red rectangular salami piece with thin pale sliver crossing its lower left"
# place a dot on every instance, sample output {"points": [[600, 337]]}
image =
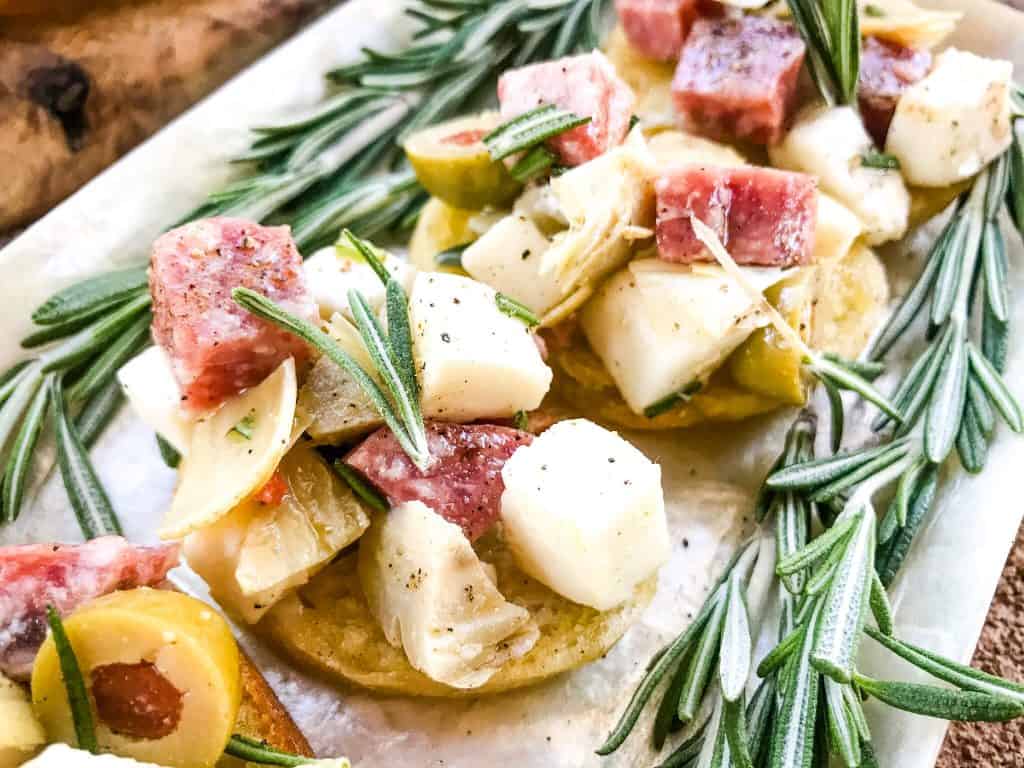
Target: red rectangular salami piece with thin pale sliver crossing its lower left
{"points": [[763, 217]]}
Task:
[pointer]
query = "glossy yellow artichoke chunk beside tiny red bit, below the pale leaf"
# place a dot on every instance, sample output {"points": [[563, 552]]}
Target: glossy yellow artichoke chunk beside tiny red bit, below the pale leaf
{"points": [[255, 556]]}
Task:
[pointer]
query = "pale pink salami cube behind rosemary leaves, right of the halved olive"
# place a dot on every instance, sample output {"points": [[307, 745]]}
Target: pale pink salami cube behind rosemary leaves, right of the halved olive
{"points": [[586, 86]]}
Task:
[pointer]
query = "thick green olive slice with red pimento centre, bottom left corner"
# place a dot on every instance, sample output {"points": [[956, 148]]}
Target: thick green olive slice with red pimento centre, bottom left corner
{"points": [[173, 647]]}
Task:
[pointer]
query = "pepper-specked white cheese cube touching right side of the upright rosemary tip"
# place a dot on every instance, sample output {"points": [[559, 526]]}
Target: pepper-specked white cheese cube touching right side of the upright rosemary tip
{"points": [[474, 361]]}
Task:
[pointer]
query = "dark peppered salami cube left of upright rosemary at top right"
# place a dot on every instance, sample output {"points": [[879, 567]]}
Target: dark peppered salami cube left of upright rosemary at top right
{"points": [[738, 78]]}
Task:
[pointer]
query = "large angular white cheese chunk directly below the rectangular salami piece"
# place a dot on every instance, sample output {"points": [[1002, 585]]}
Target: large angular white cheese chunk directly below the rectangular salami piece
{"points": [[659, 327]]}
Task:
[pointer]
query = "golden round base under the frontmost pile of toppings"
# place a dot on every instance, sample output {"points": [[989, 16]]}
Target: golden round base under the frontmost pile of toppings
{"points": [[328, 628]]}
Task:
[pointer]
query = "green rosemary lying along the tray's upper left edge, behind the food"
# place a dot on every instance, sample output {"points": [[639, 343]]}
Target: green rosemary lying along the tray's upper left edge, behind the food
{"points": [[315, 170]]}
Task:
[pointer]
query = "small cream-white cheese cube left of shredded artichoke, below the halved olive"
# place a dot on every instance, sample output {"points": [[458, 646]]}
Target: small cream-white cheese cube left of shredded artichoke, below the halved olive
{"points": [[508, 259]]}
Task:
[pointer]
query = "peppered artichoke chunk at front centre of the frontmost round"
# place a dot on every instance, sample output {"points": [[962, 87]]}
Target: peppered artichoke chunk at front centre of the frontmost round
{"points": [[434, 598]]}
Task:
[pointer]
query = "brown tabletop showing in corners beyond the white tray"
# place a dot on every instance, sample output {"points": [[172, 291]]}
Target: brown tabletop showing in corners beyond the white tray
{"points": [[78, 92]]}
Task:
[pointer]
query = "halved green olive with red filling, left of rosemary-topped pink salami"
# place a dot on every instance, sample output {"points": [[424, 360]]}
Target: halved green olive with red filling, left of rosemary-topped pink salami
{"points": [[452, 162]]}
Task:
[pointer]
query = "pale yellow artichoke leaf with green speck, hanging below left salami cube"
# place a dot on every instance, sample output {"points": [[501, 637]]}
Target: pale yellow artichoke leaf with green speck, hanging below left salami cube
{"points": [[233, 453]]}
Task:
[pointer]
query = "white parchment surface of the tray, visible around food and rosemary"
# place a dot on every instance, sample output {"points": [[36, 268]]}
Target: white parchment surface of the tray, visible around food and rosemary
{"points": [[710, 475]]}
